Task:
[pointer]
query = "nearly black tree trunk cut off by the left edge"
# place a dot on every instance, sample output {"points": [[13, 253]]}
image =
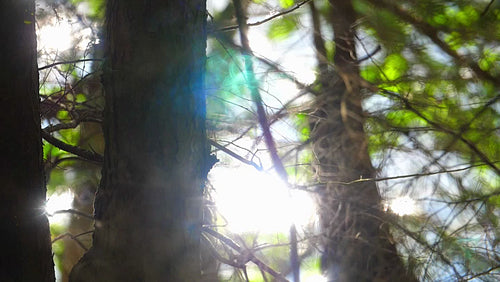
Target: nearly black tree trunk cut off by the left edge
{"points": [[26, 248]]}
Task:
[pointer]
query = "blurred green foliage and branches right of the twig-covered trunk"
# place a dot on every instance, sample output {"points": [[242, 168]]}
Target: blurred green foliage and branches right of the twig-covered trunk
{"points": [[443, 116]]}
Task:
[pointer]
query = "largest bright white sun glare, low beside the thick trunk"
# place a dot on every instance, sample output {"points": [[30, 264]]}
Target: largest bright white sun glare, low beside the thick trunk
{"points": [[253, 201]]}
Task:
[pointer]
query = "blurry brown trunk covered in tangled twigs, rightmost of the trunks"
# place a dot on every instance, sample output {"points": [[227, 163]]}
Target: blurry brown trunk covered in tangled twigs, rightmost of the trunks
{"points": [[357, 243]]}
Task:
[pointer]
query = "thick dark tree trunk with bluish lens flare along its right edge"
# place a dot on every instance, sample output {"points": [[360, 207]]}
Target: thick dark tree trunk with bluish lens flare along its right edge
{"points": [[148, 208]]}
